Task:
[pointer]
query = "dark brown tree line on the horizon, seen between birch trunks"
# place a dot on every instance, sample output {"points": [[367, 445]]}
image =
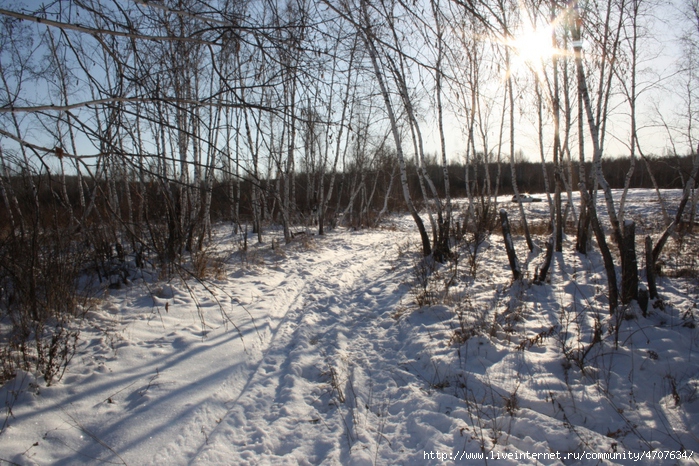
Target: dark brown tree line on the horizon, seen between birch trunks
{"points": [[355, 203]]}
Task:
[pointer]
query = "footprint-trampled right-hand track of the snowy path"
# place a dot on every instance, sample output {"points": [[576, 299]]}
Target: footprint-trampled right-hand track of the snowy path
{"points": [[304, 387]]}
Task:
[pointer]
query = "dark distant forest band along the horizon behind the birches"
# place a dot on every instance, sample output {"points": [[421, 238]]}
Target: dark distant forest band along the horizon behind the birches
{"points": [[359, 194]]}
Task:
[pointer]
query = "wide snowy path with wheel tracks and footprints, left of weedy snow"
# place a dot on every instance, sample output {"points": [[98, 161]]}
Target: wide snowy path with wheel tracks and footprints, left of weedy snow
{"points": [[150, 385]]}
